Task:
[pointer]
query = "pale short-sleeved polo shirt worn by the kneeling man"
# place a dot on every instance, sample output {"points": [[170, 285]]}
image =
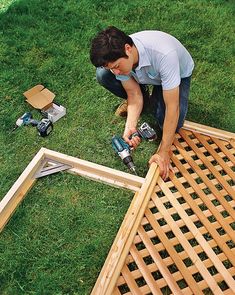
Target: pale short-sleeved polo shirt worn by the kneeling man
{"points": [[163, 60]]}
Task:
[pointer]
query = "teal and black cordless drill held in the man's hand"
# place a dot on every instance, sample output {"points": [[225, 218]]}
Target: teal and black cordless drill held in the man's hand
{"points": [[124, 150]]}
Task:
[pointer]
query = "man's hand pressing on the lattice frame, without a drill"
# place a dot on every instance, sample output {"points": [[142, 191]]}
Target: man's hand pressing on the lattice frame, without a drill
{"points": [[163, 160]]}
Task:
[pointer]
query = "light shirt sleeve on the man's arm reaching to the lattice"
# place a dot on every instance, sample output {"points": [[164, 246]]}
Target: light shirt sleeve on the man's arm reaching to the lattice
{"points": [[170, 71]]}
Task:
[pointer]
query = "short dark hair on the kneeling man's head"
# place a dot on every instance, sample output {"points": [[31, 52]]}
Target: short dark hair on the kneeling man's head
{"points": [[108, 46]]}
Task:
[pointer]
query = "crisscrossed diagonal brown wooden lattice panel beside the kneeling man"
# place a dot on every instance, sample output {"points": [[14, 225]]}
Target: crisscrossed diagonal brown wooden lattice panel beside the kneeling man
{"points": [[185, 243]]}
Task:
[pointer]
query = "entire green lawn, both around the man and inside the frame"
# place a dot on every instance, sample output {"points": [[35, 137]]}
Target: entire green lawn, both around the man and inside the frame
{"points": [[58, 239]]}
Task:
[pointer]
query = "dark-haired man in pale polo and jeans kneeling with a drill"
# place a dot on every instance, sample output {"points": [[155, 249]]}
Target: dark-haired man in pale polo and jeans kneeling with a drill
{"points": [[126, 63]]}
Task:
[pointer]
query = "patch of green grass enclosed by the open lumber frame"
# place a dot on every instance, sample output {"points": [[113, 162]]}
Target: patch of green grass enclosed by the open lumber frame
{"points": [[57, 242]]}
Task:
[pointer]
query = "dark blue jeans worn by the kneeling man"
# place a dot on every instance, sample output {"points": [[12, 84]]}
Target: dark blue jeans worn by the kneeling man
{"points": [[108, 80]]}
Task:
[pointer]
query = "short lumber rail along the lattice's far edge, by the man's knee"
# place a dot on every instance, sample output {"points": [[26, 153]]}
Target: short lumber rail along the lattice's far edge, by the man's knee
{"points": [[210, 131]]}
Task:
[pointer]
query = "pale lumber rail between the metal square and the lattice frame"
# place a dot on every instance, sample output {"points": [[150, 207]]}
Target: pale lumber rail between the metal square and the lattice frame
{"points": [[97, 172]]}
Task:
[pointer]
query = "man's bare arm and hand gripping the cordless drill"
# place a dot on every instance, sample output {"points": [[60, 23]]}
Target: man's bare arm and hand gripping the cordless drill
{"points": [[134, 108]]}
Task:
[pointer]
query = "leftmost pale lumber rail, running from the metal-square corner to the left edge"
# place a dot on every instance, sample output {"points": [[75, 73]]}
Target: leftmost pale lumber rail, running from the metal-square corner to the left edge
{"points": [[18, 191]]}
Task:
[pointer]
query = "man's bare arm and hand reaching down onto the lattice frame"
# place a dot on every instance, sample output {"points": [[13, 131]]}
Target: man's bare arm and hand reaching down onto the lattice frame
{"points": [[171, 99]]}
